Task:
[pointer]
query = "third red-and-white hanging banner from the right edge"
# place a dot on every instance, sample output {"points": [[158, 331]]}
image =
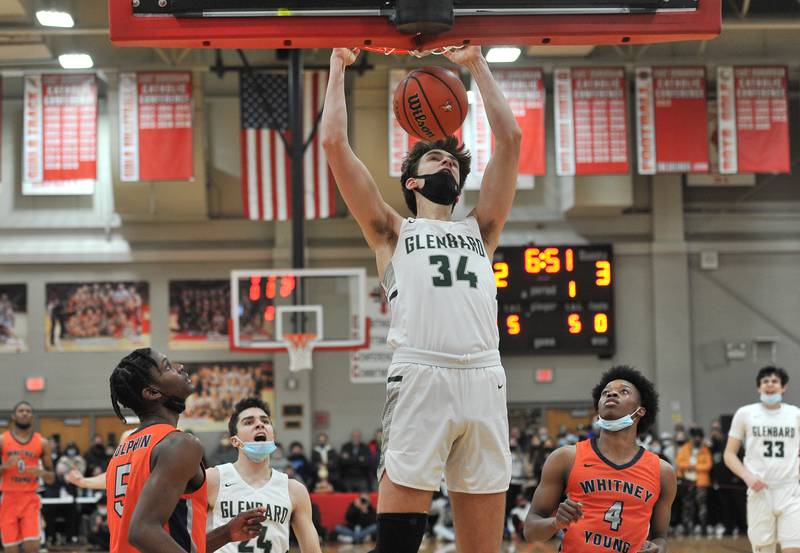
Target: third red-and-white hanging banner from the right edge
{"points": [[591, 121]]}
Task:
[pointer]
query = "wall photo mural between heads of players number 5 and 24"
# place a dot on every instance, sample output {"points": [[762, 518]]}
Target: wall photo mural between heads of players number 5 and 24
{"points": [[219, 386]]}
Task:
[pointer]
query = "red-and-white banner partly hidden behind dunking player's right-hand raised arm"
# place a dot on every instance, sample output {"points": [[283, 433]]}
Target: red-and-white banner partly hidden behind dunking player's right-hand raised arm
{"points": [[524, 90]]}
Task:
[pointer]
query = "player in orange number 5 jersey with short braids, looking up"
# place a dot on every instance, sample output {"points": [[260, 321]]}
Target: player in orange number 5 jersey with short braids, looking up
{"points": [[156, 485]]}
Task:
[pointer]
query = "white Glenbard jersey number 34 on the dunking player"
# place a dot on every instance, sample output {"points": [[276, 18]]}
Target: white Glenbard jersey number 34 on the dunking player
{"points": [[441, 288]]}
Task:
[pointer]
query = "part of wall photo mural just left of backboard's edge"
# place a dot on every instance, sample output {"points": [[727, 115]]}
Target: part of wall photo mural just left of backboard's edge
{"points": [[198, 314]]}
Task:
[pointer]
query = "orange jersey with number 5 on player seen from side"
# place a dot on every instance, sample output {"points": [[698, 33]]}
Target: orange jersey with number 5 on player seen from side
{"points": [[126, 475]]}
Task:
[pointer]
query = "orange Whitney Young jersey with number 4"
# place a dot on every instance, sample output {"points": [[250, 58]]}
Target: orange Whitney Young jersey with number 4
{"points": [[617, 500]]}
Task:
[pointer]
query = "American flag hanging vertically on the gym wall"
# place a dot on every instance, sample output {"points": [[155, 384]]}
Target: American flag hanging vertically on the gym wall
{"points": [[266, 167]]}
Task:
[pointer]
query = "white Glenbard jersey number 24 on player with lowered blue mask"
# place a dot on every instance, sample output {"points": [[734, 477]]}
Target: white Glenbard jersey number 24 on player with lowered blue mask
{"points": [[235, 496]]}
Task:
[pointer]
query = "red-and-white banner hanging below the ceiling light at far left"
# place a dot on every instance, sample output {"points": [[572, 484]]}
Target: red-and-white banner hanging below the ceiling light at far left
{"points": [[59, 134]]}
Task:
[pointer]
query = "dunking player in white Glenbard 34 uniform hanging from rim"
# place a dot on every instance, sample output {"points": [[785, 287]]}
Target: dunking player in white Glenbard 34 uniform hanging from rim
{"points": [[446, 398]]}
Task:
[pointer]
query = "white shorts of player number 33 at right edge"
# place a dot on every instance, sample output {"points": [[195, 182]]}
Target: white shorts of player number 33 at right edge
{"points": [[773, 516]]}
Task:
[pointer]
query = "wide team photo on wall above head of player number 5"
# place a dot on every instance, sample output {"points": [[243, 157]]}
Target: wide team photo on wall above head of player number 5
{"points": [[97, 316]]}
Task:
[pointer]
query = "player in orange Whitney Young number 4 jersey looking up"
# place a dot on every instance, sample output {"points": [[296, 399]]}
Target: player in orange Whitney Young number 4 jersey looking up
{"points": [[616, 491]]}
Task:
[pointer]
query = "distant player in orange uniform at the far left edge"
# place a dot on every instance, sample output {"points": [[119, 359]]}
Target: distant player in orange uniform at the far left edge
{"points": [[25, 459]]}
